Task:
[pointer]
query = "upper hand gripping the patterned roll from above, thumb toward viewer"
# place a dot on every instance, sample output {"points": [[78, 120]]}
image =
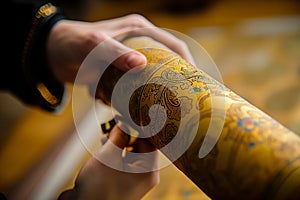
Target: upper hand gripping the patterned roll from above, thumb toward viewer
{"points": [[71, 41]]}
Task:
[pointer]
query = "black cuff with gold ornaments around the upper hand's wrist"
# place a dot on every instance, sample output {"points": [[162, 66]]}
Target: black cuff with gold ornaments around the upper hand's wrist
{"points": [[47, 92]]}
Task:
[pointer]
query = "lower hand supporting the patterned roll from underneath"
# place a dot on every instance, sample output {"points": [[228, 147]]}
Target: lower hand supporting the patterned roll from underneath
{"points": [[98, 181]]}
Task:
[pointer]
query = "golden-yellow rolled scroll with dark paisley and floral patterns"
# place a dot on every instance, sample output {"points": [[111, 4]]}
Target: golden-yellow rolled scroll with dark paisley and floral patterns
{"points": [[255, 157]]}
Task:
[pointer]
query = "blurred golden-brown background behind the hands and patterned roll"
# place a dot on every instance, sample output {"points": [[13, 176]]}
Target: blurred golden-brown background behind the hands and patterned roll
{"points": [[254, 43]]}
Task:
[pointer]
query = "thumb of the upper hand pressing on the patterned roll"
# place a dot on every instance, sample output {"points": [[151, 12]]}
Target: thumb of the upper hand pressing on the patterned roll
{"points": [[121, 56]]}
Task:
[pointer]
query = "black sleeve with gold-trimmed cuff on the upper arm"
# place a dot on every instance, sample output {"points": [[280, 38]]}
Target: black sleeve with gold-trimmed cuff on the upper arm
{"points": [[24, 71]]}
